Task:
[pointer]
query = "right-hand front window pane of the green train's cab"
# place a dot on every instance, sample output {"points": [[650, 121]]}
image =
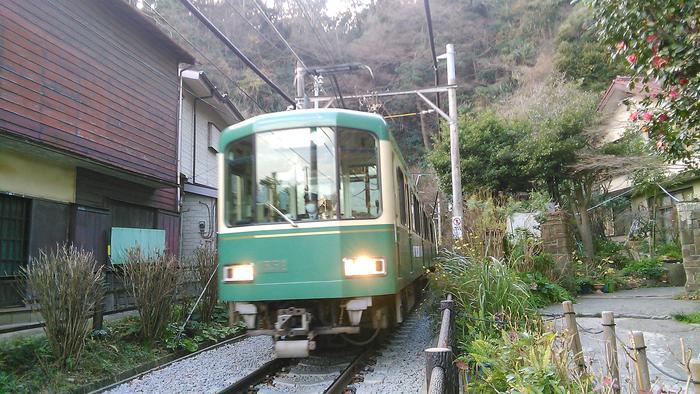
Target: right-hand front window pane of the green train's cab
{"points": [[360, 194]]}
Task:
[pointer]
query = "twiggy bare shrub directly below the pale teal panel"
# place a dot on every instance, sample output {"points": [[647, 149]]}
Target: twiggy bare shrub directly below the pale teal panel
{"points": [[152, 281]]}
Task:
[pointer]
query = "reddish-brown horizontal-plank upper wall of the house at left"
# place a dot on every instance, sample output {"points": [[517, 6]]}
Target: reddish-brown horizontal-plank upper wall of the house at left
{"points": [[89, 77]]}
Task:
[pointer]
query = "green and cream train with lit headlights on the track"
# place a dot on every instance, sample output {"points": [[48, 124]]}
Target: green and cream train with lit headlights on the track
{"points": [[320, 230]]}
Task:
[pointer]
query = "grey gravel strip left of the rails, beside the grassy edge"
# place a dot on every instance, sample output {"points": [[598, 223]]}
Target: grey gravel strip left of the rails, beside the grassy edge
{"points": [[207, 372]]}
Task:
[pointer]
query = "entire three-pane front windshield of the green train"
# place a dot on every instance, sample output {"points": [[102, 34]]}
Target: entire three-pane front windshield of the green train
{"points": [[301, 175]]}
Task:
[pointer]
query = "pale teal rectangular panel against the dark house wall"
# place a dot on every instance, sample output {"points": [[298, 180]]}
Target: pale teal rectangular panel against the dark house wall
{"points": [[151, 242]]}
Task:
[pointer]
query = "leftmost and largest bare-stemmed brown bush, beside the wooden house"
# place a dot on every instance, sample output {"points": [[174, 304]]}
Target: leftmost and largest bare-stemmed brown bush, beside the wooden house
{"points": [[68, 285]]}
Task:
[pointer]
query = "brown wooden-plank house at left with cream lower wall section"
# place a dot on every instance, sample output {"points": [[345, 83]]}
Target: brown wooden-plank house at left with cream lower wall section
{"points": [[89, 95]]}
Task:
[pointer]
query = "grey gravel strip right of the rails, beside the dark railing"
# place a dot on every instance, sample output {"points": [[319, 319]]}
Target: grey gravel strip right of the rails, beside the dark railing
{"points": [[400, 366]]}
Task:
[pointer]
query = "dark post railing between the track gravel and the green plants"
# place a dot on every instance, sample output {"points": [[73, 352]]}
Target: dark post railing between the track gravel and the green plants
{"points": [[440, 371]]}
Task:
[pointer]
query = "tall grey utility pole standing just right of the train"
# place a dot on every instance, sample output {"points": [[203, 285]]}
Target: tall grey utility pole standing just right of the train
{"points": [[454, 145]]}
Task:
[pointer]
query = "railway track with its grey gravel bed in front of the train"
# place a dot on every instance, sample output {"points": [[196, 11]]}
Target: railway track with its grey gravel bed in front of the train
{"points": [[246, 364]]}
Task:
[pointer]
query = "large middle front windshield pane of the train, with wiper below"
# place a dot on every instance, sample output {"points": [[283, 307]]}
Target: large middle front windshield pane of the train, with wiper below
{"points": [[296, 175]]}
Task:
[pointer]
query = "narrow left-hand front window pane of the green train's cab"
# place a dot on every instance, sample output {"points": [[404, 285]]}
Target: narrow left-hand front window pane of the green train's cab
{"points": [[239, 182]]}
